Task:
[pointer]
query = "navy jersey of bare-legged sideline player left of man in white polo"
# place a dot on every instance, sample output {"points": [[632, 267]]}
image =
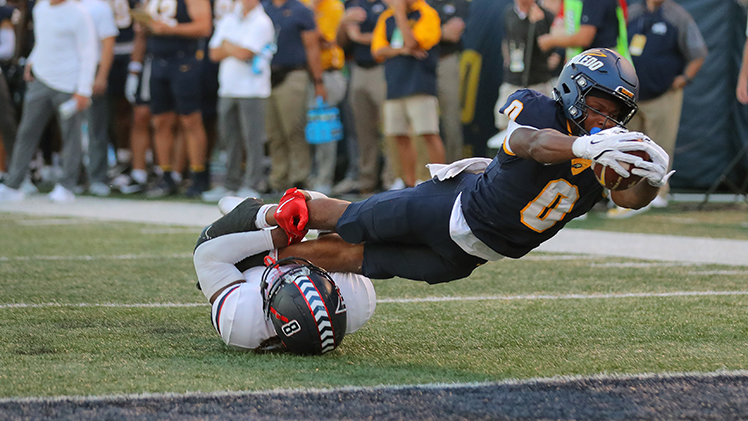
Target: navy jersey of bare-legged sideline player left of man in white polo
{"points": [[170, 12]]}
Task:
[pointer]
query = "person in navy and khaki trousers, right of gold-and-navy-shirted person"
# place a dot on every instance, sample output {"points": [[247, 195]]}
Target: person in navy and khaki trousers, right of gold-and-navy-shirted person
{"points": [[453, 15]]}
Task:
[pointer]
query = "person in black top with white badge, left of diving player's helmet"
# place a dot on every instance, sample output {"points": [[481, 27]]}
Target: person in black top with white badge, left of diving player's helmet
{"points": [[525, 64]]}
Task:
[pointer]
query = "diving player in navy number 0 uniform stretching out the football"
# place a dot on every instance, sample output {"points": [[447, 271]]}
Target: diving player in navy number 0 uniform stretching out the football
{"points": [[476, 209]]}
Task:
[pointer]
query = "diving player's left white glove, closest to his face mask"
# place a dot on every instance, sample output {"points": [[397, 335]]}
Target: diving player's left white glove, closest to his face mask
{"points": [[608, 147]]}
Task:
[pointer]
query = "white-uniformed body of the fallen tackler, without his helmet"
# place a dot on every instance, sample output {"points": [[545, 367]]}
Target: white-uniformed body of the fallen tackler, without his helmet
{"points": [[229, 265]]}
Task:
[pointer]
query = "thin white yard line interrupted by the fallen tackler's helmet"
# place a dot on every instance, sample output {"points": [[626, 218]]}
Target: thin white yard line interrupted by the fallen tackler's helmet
{"points": [[424, 299]]}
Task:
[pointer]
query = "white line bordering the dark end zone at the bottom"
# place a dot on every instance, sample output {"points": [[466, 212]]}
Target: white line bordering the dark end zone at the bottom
{"points": [[545, 381]]}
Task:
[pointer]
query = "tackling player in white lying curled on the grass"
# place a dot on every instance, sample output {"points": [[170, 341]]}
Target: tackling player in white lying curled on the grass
{"points": [[250, 303]]}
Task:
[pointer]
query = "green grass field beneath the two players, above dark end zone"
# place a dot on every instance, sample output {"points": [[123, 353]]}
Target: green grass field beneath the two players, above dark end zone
{"points": [[70, 350]]}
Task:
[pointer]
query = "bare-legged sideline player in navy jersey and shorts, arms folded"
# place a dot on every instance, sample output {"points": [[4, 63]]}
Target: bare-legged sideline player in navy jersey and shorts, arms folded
{"points": [[174, 48]]}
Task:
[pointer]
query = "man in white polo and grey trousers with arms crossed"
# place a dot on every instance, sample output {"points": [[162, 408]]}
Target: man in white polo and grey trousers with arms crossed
{"points": [[244, 44]]}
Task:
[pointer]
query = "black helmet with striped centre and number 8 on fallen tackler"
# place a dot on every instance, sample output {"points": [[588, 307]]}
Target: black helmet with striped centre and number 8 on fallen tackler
{"points": [[305, 306]]}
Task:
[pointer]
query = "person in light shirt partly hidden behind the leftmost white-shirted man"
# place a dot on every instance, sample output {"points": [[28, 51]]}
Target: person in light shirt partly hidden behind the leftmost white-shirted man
{"points": [[98, 114]]}
